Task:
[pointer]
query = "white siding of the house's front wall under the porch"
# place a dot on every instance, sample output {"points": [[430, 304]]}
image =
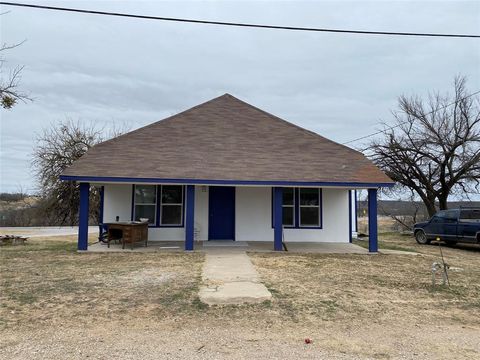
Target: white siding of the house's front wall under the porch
{"points": [[253, 220]]}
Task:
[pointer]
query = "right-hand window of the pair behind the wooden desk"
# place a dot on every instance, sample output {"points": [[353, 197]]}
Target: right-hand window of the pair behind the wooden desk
{"points": [[171, 205]]}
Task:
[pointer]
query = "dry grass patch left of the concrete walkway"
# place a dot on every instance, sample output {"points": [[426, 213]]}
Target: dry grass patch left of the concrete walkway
{"points": [[48, 282]]}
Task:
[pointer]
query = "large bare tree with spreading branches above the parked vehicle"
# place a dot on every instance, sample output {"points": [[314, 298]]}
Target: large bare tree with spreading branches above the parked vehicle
{"points": [[434, 146]]}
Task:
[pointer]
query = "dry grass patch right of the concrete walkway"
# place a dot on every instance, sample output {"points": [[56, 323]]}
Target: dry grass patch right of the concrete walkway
{"points": [[342, 287]]}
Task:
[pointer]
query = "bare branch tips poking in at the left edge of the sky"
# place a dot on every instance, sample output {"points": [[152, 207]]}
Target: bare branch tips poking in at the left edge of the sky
{"points": [[9, 91]]}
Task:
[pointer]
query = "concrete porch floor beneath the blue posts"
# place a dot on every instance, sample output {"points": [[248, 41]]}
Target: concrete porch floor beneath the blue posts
{"points": [[213, 246]]}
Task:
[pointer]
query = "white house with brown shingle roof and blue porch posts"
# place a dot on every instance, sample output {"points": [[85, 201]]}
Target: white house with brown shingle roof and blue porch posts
{"points": [[226, 170]]}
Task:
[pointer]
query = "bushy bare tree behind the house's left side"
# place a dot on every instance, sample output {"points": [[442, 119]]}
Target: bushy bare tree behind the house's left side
{"points": [[56, 149]]}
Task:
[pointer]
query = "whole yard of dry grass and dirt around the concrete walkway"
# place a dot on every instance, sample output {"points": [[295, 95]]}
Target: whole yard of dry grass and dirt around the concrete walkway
{"points": [[55, 303]]}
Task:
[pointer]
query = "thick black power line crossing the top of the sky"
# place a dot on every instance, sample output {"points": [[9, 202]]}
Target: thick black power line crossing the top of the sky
{"points": [[224, 23]]}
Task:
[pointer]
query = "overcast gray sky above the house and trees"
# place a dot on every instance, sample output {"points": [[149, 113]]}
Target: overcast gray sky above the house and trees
{"points": [[125, 71]]}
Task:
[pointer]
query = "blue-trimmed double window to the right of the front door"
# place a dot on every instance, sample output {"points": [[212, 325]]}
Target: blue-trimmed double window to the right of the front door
{"points": [[301, 207]]}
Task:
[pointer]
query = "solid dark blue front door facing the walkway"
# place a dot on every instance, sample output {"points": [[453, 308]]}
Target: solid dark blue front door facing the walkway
{"points": [[221, 213]]}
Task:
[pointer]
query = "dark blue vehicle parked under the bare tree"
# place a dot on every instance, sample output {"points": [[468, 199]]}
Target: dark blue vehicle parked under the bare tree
{"points": [[452, 226]]}
